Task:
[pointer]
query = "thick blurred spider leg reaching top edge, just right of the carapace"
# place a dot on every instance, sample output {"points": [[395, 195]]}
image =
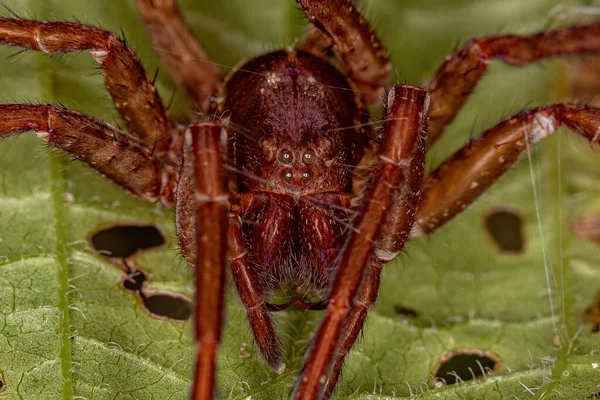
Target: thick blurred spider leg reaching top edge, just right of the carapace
{"points": [[353, 40]]}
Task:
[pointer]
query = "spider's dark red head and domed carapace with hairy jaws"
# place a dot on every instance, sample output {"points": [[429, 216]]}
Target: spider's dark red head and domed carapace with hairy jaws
{"points": [[292, 165]]}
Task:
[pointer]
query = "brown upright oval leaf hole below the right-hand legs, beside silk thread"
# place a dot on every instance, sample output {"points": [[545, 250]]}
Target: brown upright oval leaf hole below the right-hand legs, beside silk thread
{"points": [[505, 229]]}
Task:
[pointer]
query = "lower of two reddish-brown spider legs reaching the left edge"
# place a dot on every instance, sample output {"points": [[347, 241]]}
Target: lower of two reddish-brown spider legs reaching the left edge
{"points": [[113, 153]]}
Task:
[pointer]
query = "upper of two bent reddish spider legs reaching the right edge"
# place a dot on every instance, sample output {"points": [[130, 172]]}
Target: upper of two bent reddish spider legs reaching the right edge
{"points": [[456, 78]]}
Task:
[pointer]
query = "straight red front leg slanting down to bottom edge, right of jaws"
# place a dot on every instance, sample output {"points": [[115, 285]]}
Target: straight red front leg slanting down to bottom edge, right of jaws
{"points": [[403, 141]]}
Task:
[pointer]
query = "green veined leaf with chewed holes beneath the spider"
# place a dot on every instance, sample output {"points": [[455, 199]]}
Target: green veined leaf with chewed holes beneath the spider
{"points": [[69, 330]]}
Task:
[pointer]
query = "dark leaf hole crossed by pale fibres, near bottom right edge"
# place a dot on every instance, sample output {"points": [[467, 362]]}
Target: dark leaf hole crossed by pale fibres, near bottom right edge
{"points": [[465, 365]]}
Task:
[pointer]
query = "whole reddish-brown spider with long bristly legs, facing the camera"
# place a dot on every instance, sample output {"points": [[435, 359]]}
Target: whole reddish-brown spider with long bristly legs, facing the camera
{"points": [[290, 153]]}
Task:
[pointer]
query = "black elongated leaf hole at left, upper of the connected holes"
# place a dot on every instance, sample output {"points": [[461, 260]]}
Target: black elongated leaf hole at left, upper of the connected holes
{"points": [[124, 240]]}
